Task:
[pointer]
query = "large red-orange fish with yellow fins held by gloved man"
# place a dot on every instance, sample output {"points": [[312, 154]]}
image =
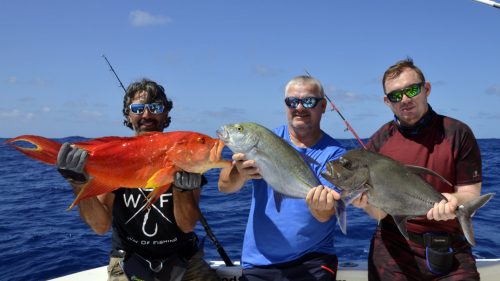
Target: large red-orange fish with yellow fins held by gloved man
{"points": [[146, 161]]}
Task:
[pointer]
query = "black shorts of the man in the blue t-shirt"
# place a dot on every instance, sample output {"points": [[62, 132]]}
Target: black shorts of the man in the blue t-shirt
{"points": [[314, 266]]}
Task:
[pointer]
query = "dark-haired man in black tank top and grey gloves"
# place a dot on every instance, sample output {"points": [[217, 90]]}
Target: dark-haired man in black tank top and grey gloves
{"points": [[154, 243]]}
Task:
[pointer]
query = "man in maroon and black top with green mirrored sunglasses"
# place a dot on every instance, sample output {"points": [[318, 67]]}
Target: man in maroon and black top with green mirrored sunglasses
{"points": [[436, 248]]}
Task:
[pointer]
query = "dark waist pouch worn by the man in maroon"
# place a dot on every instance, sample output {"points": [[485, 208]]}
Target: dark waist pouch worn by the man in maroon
{"points": [[438, 253]]}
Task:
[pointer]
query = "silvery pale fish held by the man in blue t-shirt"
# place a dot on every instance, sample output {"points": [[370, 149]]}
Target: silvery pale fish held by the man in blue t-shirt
{"points": [[279, 163]]}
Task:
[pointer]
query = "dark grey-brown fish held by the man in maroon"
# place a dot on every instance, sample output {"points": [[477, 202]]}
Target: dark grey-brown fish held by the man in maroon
{"points": [[395, 188]]}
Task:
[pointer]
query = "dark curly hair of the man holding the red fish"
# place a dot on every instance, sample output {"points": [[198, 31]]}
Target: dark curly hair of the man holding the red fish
{"points": [[154, 92]]}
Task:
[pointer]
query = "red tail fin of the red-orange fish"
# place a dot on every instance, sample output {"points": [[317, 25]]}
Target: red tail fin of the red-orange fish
{"points": [[45, 150]]}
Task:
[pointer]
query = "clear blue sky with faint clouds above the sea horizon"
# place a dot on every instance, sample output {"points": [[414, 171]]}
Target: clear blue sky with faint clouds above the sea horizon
{"points": [[228, 61]]}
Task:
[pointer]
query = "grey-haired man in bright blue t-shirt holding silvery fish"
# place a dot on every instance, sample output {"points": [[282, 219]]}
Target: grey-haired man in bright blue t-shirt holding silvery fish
{"points": [[296, 243]]}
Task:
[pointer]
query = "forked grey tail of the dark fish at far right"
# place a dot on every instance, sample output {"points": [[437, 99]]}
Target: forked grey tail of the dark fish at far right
{"points": [[465, 213]]}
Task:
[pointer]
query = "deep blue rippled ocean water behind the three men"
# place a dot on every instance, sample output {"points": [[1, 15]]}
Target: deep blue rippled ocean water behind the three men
{"points": [[40, 240]]}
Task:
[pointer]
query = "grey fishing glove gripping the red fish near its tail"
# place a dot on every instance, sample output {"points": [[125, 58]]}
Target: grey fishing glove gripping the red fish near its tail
{"points": [[71, 162]]}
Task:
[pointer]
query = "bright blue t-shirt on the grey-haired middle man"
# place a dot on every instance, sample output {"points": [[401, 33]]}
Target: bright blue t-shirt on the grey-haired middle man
{"points": [[273, 237]]}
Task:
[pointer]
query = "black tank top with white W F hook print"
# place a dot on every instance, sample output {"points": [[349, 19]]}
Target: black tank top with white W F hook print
{"points": [[152, 233]]}
